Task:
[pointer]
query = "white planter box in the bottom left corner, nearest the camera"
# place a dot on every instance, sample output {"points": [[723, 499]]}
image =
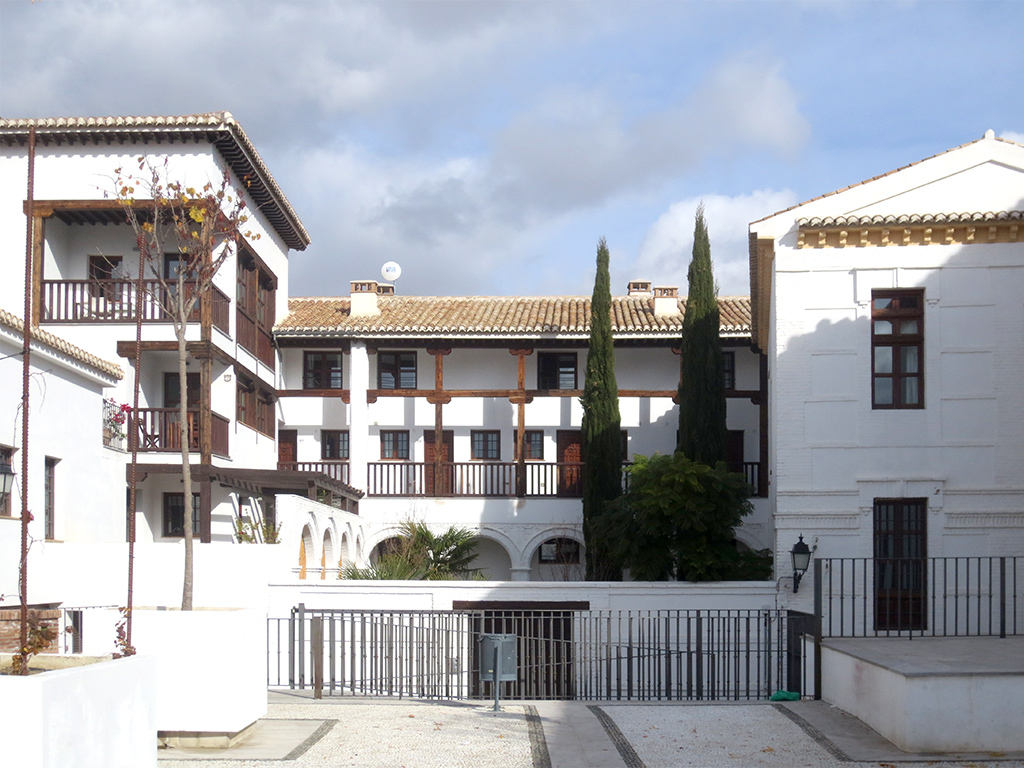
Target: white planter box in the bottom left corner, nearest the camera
{"points": [[101, 715]]}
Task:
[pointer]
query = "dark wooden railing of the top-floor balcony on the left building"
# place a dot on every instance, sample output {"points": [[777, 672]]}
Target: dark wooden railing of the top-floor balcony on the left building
{"points": [[114, 302]]}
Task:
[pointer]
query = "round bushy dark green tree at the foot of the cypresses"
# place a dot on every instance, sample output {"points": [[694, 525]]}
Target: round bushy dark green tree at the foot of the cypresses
{"points": [[677, 521]]}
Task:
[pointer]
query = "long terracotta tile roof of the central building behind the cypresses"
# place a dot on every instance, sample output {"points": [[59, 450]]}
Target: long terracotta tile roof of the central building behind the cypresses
{"points": [[483, 317]]}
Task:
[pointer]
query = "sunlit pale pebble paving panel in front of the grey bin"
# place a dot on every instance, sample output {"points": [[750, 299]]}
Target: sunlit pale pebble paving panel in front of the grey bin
{"points": [[397, 736]]}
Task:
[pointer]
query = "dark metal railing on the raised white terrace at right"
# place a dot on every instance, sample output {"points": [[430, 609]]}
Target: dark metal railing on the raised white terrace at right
{"points": [[918, 598]]}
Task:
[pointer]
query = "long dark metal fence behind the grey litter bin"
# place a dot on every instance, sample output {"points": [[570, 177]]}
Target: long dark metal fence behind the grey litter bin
{"points": [[563, 655]]}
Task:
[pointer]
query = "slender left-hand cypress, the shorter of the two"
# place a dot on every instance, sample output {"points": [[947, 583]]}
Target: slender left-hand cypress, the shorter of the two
{"points": [[602, 446]]}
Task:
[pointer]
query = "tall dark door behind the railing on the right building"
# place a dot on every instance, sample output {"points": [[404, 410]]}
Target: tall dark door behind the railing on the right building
{"points": [[901, 565]]}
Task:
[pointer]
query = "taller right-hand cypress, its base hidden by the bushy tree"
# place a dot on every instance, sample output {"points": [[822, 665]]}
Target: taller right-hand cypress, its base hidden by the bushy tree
{"points": [[702, 386]]}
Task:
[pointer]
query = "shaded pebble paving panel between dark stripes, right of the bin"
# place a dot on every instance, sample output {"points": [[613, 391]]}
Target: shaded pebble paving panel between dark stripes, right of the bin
{"points": [[741, 736]]}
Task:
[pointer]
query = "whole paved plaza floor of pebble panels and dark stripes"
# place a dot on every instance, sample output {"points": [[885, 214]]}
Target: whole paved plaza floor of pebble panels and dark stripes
{"points": [[402, 734]]}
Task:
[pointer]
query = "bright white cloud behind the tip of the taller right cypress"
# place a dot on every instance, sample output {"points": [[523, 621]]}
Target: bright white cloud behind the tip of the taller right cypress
{"points": [[665, 255]]}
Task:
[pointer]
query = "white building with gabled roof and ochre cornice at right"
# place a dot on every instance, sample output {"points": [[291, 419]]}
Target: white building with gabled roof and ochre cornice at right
{"points": [[891, 316]]}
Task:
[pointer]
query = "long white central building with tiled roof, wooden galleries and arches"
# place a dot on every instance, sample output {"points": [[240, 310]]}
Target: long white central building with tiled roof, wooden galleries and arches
{"points": [[373, 382]]}
